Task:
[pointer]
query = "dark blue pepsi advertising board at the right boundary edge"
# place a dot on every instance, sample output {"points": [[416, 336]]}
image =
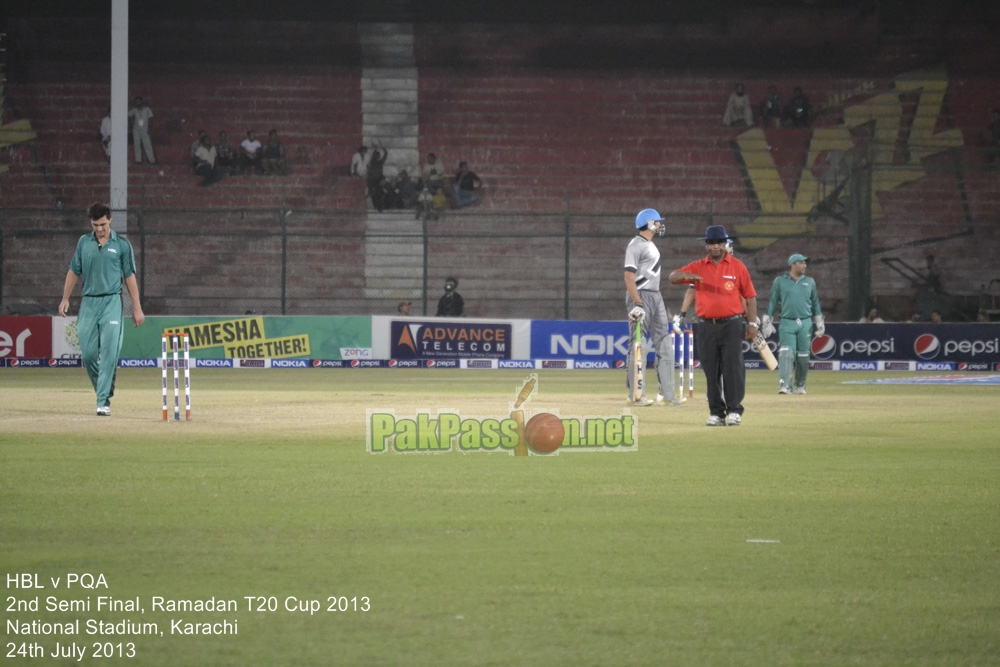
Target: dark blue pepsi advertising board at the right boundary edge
{"points": [[927, 344]]}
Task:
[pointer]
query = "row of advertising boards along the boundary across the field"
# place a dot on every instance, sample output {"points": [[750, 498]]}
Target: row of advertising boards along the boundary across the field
{"points": [[417, 342]]}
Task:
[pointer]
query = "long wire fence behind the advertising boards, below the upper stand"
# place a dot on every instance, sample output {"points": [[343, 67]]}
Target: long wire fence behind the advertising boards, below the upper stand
{"points": [[867, 250]]}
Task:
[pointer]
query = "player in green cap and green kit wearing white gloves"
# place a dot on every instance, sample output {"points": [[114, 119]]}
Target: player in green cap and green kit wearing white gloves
{"points": [[795, 293]]}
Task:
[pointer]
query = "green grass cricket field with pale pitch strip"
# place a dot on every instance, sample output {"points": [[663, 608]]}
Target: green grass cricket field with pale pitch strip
{"points": [[857, 525]]}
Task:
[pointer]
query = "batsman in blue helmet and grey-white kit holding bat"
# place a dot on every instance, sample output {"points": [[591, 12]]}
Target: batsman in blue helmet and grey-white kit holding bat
{"points": [[645, 309]]}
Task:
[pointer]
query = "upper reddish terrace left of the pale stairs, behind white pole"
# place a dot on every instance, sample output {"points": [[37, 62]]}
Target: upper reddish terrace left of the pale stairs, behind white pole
{"points": [[316, 111]]}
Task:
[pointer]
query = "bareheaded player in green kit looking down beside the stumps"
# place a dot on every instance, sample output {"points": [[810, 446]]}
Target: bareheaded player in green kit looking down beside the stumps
{"points": [[105, 261]]}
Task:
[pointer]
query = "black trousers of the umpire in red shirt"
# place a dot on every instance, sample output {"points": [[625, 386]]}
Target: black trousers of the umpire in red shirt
{"points": [[720, 351]]}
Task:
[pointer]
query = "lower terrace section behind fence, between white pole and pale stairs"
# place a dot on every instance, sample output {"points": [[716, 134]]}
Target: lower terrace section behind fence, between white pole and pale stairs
{"points": [[233, 263]]}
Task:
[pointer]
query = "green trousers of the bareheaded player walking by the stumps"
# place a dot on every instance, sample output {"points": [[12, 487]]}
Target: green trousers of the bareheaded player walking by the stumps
{"points": [[100, 330]]}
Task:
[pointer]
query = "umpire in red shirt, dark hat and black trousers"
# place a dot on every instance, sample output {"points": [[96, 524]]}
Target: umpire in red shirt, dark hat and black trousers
{"points": [[721, 283]]}
